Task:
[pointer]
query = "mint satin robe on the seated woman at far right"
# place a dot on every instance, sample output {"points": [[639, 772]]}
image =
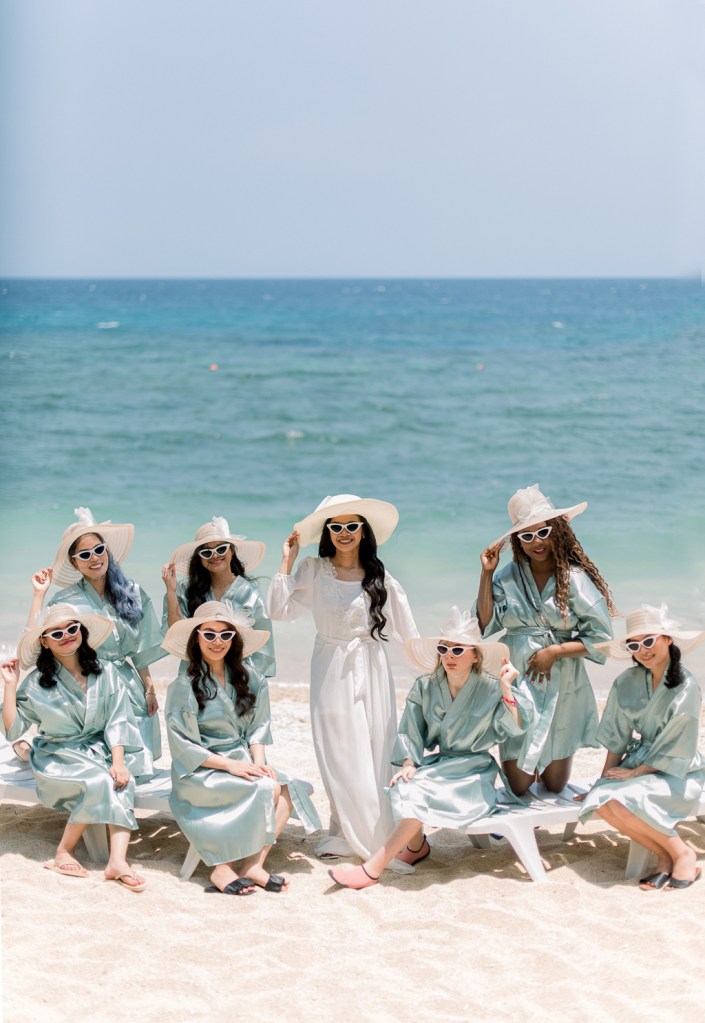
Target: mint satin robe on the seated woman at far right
{"points": [[667, 723]]}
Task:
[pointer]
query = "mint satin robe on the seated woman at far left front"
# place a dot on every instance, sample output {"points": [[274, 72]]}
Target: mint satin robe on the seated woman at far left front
{"points": [[72, 755]]}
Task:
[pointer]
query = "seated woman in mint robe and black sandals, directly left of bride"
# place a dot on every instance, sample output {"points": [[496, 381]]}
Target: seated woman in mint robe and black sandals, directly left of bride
{"points": [[227, 800]]}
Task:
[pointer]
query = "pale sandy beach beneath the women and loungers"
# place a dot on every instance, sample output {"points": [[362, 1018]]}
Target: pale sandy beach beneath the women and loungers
{"points": [[467, 938]]}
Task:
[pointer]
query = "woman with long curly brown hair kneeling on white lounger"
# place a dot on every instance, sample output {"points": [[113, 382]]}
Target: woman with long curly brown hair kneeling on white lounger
{"points": [[556, 608]]}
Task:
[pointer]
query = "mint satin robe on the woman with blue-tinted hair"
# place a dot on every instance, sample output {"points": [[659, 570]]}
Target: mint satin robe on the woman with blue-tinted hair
{"points": [[141, 643]]}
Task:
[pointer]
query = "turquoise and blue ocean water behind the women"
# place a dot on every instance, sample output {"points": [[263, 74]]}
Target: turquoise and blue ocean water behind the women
{"points": [[164, 404]]}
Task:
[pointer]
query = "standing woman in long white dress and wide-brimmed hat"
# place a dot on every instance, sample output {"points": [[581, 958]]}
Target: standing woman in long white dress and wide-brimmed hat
{"points": [[357, 606]]}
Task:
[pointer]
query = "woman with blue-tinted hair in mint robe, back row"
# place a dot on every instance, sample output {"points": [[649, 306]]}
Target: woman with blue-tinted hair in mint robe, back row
{"points": [[87, 567]]}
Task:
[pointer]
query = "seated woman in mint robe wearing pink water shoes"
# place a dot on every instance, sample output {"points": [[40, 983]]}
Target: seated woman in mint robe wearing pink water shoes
{"points": [[465, 706]]}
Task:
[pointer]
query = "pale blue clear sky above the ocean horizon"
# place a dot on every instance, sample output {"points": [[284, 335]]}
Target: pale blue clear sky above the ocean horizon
{"points": [[383, 139]]}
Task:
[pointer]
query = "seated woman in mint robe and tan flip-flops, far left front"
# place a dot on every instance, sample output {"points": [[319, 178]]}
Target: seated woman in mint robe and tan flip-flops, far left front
{"points": [[89, 743]]}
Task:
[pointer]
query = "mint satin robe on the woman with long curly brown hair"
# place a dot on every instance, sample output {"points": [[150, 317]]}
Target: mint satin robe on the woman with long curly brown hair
{"points": [[565, 709]]}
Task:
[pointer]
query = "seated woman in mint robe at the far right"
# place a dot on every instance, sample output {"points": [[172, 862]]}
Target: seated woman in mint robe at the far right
{"points": [[650, 784]]}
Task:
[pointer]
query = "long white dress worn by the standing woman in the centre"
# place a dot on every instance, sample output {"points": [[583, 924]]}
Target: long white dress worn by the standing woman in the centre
{"points": [[354, 710]]}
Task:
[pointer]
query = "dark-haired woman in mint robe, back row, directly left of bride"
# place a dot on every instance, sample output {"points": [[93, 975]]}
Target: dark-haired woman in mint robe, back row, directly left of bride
{"points": [[216, 566]]}
